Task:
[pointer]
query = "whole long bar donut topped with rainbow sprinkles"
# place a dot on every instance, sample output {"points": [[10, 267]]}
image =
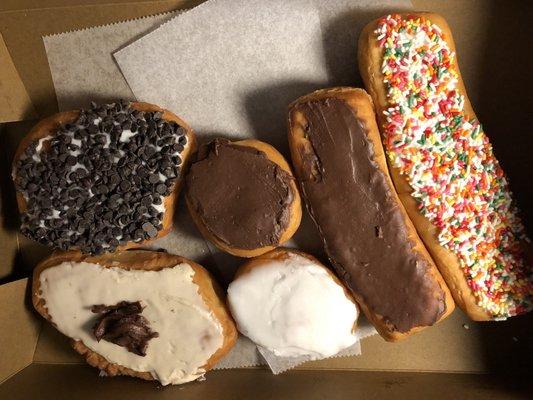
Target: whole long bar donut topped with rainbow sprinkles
{"points": [[443, 165]]}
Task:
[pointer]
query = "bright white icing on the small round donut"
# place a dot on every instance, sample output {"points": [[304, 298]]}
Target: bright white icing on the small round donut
{"points": [[293, 307]]}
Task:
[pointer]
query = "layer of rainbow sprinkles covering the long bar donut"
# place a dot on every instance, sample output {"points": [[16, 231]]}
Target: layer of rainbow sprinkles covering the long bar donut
{"points": [[446, 157]]}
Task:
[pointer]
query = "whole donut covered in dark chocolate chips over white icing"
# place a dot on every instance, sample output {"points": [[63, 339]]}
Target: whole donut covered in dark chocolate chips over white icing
{"points": [[101, 179]]}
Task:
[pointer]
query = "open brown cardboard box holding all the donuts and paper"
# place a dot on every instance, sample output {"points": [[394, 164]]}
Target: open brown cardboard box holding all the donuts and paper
{"points": [[458, 358]]}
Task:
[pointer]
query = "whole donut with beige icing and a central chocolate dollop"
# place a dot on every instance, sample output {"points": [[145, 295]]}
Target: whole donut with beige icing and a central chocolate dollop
{"points": [[145, 314]]}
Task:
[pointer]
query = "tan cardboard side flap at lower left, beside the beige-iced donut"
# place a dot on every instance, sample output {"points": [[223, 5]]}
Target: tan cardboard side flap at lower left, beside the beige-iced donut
{"points": [[19, 331]]}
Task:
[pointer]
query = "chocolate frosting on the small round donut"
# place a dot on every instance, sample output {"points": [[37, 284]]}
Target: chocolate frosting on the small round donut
{"points": [[241, 196]]}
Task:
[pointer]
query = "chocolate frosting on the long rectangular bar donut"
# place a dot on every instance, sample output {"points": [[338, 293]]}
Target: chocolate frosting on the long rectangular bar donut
{"points": [[362, 227]]}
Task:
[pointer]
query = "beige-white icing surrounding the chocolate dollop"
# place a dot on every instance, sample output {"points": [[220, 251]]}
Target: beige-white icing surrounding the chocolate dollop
{"points": [[189, 334]]}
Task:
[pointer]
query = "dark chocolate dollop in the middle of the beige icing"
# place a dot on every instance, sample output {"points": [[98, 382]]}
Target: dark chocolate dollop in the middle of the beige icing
{"points": [[123, 325]]}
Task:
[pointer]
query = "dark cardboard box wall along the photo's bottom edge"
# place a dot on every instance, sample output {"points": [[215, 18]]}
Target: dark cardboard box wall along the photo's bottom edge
{"points": [[60, 382]]}
